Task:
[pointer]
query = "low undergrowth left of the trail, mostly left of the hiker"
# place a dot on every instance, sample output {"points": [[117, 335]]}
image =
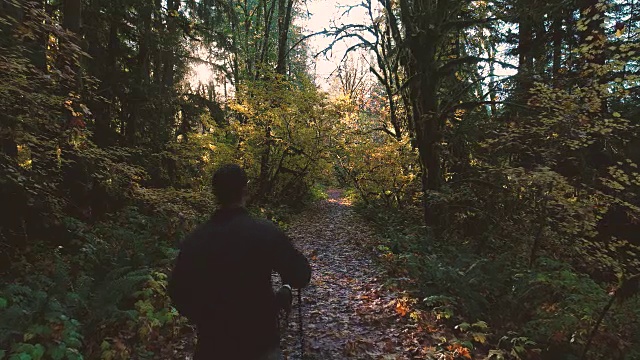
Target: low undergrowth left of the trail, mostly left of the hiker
{"points": [[103, 294]]}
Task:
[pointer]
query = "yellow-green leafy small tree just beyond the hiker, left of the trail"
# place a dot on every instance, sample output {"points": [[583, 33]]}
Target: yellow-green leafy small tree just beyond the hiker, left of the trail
{"points": [[285, 142]]}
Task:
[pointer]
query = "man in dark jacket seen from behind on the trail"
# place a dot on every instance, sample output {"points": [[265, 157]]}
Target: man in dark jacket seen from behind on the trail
{"points": [[222, 278]]}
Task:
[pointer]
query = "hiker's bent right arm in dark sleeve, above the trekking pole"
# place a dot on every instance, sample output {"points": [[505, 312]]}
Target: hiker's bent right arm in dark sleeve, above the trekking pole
{"points": [[291, 264]]}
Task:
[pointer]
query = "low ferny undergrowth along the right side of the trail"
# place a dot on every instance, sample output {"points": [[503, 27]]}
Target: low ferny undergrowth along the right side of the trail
{"points": [[496, 306]]}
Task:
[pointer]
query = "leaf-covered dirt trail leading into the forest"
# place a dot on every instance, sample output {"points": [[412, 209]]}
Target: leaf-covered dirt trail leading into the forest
{"points": [[346, 311]]}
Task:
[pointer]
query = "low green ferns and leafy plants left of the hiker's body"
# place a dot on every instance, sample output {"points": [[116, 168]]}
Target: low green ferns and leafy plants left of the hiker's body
{"points": [[105, 293]]}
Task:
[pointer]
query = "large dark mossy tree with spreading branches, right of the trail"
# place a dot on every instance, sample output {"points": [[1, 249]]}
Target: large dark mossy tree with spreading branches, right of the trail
{"points": [[425, 66]]}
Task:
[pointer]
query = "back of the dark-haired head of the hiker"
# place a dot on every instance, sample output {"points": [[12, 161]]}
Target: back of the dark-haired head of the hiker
{"points": [[230, 185]]}
